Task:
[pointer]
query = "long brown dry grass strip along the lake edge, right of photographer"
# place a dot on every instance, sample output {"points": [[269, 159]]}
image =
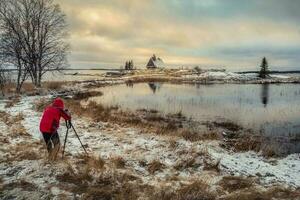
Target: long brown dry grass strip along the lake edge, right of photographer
{"points": [[149, 121]]}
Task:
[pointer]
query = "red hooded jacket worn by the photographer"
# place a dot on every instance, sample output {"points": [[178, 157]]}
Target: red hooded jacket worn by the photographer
{"points": [[51, 117]]}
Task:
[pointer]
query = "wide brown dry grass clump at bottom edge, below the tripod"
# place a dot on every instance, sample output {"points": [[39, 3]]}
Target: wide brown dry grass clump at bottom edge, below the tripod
{"points": [[106, 185]]}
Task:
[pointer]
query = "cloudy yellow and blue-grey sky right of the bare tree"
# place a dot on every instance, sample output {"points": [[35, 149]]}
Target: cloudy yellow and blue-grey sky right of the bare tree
{"points": [[235, 34]]}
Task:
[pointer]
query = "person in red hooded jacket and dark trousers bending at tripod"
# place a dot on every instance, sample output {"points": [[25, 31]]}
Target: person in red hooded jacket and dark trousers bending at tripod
{"points": [[50, 123]]}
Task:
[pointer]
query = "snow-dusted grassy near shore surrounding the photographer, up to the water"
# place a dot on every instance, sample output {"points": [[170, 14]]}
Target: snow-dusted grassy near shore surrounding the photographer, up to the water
{"points": [[131, 154]]}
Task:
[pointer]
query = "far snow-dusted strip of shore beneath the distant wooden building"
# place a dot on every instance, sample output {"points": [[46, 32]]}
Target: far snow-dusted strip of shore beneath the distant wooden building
{"points": [[188, 77]]}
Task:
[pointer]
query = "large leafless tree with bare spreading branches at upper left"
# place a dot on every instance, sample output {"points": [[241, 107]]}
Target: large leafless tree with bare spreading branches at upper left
{"points": [[35, 32]]}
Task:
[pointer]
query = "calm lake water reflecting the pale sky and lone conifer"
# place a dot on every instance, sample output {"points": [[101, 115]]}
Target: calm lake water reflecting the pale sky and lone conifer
{"points": [[273, 110]]}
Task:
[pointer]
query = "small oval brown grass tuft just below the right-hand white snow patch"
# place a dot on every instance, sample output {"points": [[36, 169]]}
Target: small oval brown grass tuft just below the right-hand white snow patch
{"points": [[233, 183]]}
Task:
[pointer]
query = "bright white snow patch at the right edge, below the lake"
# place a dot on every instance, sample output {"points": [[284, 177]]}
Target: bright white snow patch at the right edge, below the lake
{"points": [[285, 170]]}
